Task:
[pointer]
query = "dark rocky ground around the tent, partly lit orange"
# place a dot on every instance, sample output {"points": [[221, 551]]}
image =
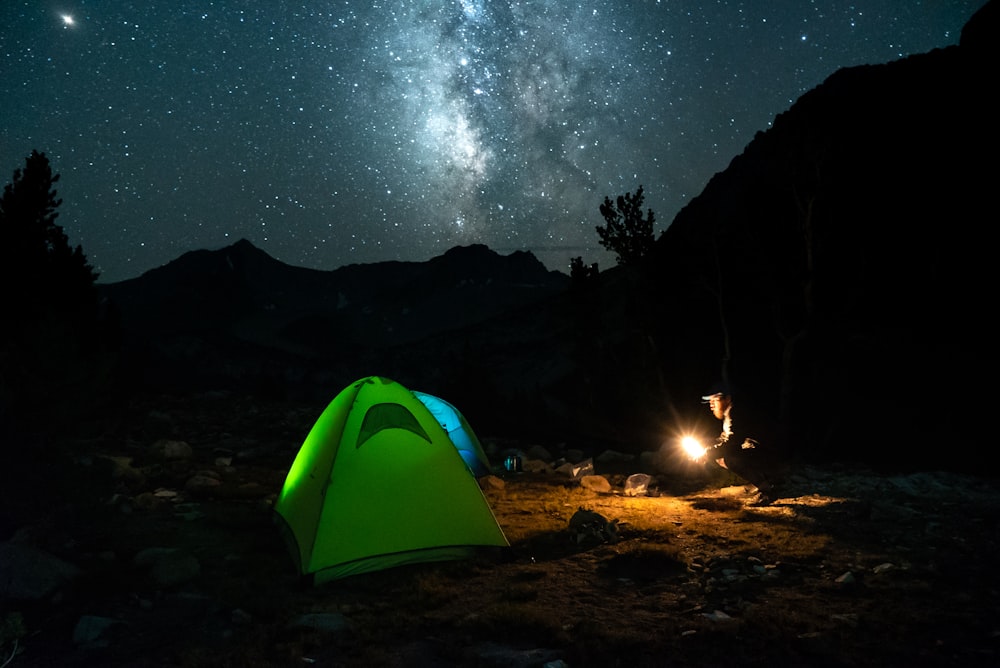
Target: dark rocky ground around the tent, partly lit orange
{"points": [[153, 545]]}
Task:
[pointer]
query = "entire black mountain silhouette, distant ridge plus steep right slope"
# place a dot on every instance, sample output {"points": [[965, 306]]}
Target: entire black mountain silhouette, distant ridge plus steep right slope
{"points": [[839, 271]]}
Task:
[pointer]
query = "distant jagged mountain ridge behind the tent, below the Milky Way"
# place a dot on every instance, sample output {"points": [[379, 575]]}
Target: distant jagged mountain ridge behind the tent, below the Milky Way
{"points": [[235, 318]]}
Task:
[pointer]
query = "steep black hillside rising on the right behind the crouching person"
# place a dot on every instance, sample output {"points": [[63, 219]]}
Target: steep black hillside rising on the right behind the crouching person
{"points": [[850, 248]]}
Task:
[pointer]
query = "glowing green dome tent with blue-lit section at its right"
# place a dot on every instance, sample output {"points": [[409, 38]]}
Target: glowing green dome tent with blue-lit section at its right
{"points": [[378, 483]]}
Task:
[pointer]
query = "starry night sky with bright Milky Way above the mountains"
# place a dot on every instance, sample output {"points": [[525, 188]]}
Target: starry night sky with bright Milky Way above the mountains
{"points": [[340, 132]]}
